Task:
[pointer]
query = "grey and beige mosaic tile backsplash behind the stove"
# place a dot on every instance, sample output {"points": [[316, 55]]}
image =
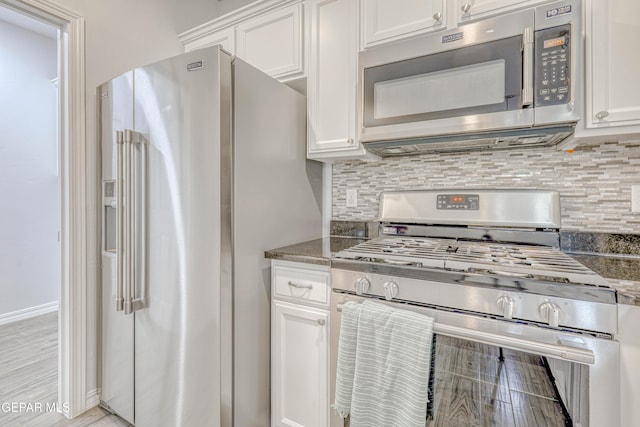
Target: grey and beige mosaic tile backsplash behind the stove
{"points": [[594, 181]]}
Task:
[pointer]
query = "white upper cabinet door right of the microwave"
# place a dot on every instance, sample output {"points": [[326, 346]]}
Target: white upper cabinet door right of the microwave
{"points": [[613, 65]]}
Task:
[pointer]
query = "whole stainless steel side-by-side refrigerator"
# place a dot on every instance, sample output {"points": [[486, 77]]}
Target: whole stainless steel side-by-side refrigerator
{"points": [[203, 167]]}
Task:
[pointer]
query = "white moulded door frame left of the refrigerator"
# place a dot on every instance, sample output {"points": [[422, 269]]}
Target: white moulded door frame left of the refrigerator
{"points": [[75, 227]]}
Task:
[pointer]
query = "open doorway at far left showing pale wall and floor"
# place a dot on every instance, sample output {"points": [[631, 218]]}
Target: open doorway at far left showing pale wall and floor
{"points": [[30, 221]]}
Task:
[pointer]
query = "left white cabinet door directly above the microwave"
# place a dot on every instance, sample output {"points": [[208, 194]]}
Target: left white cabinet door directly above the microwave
{"points": [[388, 20]]}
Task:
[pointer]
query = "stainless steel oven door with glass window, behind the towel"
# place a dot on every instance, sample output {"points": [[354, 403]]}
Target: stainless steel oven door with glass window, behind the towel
{"points": [[468, 371]]}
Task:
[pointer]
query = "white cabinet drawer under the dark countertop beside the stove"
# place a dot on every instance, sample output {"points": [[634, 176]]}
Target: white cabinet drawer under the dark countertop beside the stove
{"points": [[303, 284]]}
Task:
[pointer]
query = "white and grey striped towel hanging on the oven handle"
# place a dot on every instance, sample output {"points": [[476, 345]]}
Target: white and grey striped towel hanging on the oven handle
{"points": [[390, 365]]}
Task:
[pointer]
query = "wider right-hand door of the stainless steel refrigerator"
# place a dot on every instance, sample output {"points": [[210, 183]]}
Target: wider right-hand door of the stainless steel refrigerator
{"points": [[177, 132]]}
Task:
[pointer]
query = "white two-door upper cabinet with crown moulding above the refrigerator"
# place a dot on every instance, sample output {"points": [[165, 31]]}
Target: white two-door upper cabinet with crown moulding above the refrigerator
{"points": [[268, 34]]}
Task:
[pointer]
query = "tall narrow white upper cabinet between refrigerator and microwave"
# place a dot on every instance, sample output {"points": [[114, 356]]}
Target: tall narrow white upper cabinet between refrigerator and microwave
{"points": [[331, 81]]}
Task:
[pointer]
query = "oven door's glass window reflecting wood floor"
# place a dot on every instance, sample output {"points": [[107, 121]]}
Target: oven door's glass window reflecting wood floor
{"points": [[472, 387]]}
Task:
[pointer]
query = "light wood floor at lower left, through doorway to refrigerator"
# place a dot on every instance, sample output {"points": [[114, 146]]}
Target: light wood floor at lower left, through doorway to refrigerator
{"points": [[29, 376]]}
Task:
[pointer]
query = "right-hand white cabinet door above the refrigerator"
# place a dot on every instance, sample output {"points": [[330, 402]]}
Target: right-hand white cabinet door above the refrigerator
{"points": [[273, 42]]}
